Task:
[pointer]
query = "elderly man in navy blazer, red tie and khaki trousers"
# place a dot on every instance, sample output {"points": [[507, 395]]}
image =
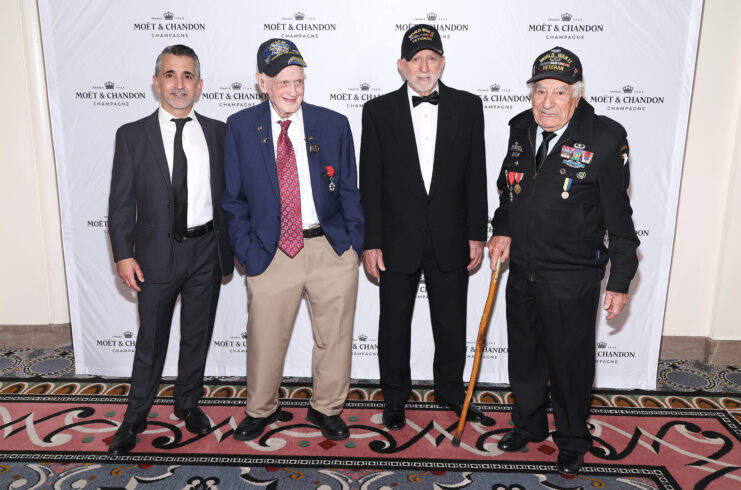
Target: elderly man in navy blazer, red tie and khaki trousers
{"points": [[296, 224]]}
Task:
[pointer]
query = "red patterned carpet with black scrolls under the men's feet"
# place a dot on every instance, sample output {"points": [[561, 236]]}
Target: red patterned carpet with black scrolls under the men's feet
{"points": [[54, 434]]}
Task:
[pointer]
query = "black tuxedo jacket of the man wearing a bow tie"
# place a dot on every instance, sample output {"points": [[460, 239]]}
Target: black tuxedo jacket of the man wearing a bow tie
{"points": [[398, 210]]}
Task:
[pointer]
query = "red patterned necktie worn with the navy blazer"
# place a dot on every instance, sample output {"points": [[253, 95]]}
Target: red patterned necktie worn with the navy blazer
{"points": [[291, 230]]}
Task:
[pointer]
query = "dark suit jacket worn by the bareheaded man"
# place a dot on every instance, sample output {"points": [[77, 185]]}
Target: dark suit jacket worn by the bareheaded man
{"points": [[140, 202]]}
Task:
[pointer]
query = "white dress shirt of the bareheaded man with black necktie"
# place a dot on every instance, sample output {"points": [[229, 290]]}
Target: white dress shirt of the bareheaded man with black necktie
{"points": [[200, 207]]}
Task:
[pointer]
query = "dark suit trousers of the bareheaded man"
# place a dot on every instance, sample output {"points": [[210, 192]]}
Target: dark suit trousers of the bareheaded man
{"points": [[197, 279]]}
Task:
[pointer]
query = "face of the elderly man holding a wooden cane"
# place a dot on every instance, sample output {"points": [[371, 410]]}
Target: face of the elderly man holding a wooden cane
{"points": [[553, 103]]}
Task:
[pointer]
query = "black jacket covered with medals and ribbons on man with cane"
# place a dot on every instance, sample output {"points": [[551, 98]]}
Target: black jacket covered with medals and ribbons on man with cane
{"points": [[557, 216]]}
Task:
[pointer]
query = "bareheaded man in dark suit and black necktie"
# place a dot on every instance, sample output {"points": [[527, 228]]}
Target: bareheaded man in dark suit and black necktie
{"points": [[168, 235]]}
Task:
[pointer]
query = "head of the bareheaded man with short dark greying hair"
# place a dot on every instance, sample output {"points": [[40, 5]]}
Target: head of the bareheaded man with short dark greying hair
{"points": [[178, 84]]}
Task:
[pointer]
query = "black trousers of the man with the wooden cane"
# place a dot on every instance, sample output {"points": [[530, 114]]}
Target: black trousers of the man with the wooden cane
{"points": [[551, 336]]}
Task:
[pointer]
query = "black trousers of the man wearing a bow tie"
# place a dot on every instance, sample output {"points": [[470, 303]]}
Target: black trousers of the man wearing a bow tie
{"points": [[447, 292]]}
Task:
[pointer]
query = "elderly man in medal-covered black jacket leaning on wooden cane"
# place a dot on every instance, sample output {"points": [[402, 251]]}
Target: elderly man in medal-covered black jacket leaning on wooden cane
{"points": [[563, 183]]}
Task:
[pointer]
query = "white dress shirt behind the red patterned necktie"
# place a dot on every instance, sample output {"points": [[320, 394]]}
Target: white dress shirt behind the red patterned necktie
{"points": [[309, 217]]}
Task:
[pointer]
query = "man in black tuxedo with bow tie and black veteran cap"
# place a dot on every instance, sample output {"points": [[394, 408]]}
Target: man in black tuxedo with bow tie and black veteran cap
{"points": [[423, 182]]}
